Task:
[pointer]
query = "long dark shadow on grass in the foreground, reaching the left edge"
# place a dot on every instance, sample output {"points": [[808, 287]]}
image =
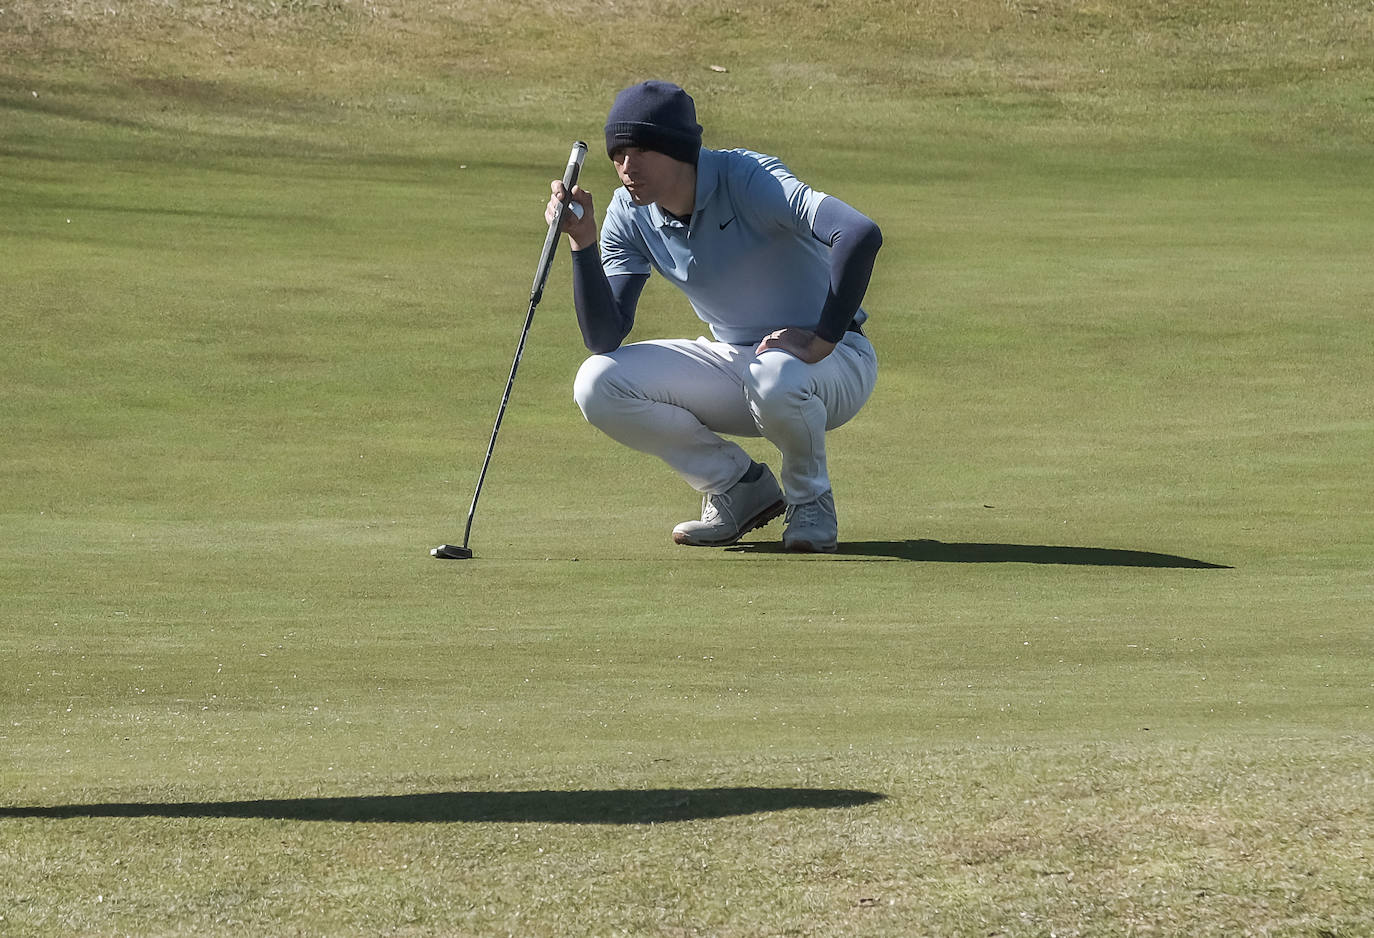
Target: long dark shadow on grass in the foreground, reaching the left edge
{"points": [[616, 807]]}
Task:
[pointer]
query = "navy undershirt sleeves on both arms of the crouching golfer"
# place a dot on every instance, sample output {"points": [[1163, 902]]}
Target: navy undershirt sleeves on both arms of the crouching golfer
{"points": [[607, 306]]}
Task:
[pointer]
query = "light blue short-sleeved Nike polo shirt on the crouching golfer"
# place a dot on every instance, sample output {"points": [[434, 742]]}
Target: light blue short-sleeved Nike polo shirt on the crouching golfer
{"points": [[750, 263]]}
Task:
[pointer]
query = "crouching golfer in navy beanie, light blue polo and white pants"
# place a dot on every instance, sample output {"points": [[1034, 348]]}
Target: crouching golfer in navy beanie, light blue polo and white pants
{"points": [[774, 268]]}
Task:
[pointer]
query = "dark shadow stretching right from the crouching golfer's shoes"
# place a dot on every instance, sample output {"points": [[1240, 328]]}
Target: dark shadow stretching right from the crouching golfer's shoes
{"points": [[943, 553]]}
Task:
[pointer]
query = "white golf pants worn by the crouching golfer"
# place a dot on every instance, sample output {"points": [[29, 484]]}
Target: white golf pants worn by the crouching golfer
{"points": [[675, 398]]}
